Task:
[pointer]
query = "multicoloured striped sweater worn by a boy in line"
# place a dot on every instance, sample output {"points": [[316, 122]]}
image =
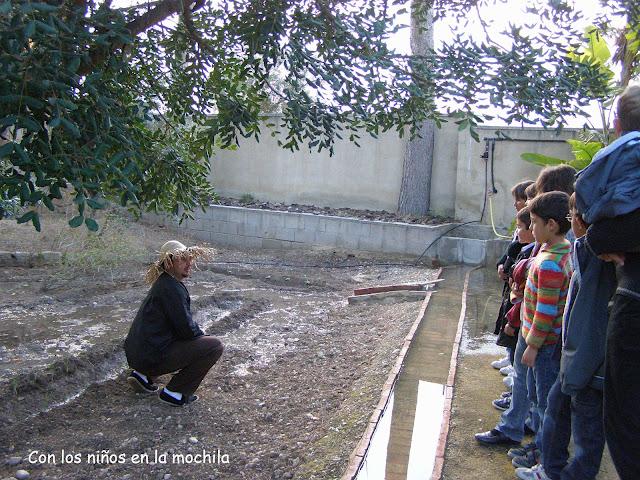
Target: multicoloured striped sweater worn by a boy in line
{"points": [[545, 294]]}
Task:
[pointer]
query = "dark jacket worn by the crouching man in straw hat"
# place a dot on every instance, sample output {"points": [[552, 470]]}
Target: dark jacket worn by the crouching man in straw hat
{"points": [[163, 318]]}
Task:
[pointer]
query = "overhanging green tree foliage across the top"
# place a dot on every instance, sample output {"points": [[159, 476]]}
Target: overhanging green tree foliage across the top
{"points": [[128, 101]]}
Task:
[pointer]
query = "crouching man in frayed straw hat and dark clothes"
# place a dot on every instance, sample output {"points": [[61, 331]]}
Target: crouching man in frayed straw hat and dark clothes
{"points": [[163, 337]]}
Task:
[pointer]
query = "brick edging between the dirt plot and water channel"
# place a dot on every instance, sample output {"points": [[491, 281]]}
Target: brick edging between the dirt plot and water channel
{"points": [[361, 448]]}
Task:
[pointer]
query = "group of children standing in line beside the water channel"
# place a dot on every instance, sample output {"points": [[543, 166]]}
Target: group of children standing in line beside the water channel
{"points": [[570, 315]]}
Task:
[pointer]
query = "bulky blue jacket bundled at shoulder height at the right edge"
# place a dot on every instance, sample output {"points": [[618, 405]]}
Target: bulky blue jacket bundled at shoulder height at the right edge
{"points": [[608, 187]]}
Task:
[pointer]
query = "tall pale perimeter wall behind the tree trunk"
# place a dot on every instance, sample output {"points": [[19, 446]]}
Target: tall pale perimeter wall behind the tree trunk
{"points": [[369, 177]]}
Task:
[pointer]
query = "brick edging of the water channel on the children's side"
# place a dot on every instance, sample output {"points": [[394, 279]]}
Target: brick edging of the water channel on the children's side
{"points": [[448, 400]]}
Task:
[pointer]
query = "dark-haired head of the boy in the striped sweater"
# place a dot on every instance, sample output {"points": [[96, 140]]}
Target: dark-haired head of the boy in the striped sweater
{"points": [[549, 213]]}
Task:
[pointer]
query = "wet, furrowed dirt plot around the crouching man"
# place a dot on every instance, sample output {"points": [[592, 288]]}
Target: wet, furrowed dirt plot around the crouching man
{"points": [[290, 398]]}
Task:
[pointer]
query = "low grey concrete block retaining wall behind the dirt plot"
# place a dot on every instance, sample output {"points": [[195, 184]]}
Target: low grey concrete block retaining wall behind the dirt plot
{"points": [[254, 228]]}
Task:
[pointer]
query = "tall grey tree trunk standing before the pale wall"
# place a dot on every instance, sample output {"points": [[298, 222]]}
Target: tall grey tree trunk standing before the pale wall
{"points": [[415, 190]]}
